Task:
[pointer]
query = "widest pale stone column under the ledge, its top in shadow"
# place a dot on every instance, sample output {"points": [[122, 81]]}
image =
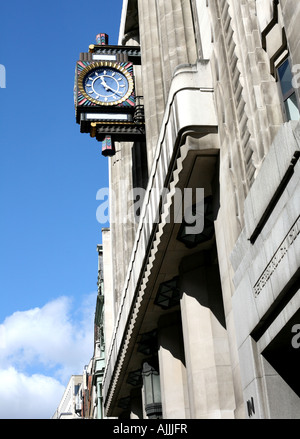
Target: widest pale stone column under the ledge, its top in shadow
{"points": [[209, 375]]}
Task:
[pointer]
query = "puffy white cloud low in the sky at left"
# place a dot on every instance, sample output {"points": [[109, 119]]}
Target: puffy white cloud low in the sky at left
{"points": [[39, 350]]}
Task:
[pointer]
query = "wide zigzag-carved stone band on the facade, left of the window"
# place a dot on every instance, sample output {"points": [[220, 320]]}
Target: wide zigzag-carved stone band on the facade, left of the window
{"points": [[253, 89]]}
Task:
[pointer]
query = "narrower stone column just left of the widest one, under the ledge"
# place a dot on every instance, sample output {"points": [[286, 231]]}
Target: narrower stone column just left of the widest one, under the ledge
{"points": [[172, 368]]}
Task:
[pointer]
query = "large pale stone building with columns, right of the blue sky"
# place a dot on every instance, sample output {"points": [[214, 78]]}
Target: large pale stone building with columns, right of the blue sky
{"points": [[210, 318]]}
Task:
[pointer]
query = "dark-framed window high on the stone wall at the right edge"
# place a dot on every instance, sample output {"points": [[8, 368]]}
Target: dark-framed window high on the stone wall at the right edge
{"points": [[290, 101]]}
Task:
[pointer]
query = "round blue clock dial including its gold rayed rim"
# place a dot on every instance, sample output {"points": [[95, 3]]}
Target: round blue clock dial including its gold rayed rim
{"points": [[106, 83]]}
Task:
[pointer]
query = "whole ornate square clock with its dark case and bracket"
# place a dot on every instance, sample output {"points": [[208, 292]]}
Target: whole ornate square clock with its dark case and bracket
{"points": [[106, 105]]}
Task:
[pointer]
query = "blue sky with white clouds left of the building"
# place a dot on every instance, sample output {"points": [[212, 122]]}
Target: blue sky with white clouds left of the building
{"points": [[50, 174]]}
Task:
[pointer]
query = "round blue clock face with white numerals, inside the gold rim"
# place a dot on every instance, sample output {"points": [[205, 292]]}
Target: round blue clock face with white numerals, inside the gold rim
{"points": [[106, 85]]}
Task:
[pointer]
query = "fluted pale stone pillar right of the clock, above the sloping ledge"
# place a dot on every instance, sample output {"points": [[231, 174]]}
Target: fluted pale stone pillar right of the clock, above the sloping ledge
{"points": [[167, 40]]}
